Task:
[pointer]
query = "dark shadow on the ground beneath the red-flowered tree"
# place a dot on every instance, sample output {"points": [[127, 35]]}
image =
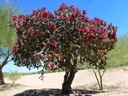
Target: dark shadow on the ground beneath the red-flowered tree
{"points": [[56, 92]]}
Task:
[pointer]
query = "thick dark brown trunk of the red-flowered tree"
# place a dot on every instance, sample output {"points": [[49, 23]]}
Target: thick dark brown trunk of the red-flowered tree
{"points": [[68, 78]]}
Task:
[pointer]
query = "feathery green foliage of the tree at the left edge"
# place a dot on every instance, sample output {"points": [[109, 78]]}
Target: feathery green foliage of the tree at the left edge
{"points": [[7, 35]]}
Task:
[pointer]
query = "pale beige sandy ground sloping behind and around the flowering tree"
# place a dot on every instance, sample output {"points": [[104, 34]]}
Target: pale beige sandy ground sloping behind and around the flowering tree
{"points": [[115, 84]]}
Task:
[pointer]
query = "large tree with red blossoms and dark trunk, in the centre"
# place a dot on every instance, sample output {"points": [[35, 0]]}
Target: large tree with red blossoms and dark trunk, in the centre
{"points": [[61, 39]]}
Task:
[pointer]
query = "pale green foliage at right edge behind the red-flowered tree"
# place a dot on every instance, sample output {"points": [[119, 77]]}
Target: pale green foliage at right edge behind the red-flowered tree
{"points": [[119, 55]]}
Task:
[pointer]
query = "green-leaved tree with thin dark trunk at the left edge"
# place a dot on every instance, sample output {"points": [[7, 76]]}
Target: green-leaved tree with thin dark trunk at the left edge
{"points": [[7, 34]]}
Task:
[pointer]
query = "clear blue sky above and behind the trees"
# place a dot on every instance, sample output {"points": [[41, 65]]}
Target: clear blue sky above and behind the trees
{"points": [[112, 11]]}
